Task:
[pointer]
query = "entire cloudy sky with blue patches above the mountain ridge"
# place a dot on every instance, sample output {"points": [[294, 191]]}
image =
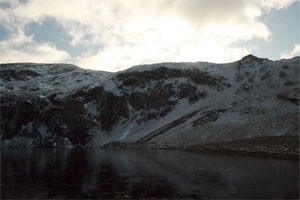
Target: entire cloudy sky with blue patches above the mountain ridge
{"points": [[113, 35]]}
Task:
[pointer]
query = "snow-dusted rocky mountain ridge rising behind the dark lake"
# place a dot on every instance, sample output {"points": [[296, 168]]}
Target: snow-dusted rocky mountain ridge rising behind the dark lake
{"points": [[248, 105]]}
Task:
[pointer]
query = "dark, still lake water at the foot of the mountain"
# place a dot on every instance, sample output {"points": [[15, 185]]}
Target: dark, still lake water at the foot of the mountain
{"points": [[79, 173]]}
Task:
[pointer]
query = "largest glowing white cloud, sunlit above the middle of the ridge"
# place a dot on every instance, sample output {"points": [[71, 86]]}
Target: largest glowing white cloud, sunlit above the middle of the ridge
{"points": [[134, 32]]}
